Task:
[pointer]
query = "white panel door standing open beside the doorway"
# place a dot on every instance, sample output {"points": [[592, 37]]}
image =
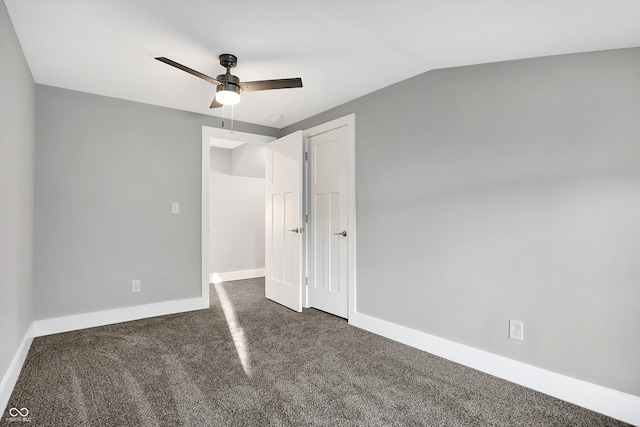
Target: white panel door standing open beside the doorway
{"points": [[283, 212]]}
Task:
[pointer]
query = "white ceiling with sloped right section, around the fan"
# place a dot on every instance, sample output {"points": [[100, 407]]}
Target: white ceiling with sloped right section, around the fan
{"points": [[342, 49]]}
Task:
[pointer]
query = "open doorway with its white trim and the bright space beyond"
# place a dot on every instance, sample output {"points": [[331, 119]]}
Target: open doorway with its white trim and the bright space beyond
{"points": [[236, 161]]}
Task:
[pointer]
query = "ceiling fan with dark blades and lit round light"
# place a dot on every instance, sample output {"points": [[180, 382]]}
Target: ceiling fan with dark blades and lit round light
{"points": [[230, 86]]}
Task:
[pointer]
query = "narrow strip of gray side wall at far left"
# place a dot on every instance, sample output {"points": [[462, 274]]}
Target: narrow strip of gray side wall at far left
{"points": [[16, 193]]}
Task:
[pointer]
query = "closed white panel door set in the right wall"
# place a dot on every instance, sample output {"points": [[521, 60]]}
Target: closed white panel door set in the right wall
{"points": [[329, 221]]}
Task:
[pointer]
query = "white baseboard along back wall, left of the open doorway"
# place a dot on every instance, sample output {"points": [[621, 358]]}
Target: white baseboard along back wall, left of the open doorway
{"points": [[108, 317]]}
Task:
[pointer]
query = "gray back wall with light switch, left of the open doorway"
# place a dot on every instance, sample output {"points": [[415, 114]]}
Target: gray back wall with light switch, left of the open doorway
{"points": [[107, 171]]}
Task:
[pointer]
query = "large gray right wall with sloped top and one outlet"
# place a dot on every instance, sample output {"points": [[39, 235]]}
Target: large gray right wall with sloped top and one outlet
{"points": [[507, 190]]}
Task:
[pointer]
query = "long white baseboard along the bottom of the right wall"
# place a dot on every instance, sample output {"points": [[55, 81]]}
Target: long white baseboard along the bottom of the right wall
{"points": [[613, 403]]}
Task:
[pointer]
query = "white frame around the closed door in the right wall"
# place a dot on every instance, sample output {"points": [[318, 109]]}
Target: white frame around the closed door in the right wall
{"points": [[350, 122]]}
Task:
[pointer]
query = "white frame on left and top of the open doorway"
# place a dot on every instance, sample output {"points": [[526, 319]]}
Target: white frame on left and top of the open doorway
{"points": [[209, 133]]}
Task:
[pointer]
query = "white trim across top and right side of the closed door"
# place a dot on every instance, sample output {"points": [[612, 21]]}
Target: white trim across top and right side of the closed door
{"points": [[350, 122]]}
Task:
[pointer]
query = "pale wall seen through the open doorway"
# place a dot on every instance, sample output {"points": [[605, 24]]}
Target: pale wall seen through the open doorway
{"points": [[236, 209]]}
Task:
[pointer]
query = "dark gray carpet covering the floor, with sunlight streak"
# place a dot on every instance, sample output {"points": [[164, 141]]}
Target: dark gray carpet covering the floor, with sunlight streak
{"points": [[296, 369]]}
